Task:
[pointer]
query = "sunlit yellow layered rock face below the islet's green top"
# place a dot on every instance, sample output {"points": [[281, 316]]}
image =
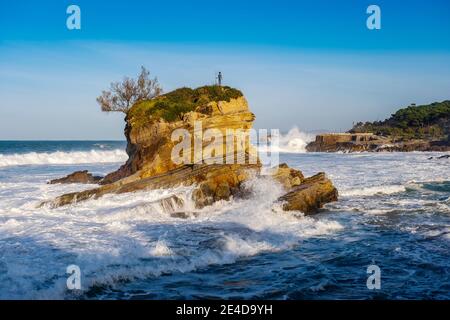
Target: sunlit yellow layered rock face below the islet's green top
{"points": [[150, 145]]}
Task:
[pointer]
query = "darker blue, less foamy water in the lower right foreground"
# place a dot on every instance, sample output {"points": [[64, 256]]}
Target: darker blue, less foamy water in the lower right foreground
{"points": [[413, 265]]}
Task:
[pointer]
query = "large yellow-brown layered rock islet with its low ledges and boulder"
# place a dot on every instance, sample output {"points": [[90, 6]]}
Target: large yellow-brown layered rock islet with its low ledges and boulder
{"points": [[148, 130]]}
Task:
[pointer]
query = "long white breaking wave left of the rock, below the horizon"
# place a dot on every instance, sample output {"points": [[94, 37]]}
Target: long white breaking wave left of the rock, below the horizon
{"points": [[60, 157]]}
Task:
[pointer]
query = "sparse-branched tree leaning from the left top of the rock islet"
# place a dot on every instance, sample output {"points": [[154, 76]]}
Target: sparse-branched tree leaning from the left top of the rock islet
{"points": [[123, 95]]}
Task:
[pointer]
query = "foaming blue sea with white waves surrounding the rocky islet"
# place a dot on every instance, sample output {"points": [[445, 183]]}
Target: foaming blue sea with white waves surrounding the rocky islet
{"points": [[393, 213]]}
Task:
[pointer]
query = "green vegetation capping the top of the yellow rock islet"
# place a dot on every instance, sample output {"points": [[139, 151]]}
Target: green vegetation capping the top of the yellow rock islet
{"points": [[171, 106]]}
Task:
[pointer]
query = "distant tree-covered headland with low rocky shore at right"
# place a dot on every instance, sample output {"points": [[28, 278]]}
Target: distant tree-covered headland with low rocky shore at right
{"points": [[415, 128]]}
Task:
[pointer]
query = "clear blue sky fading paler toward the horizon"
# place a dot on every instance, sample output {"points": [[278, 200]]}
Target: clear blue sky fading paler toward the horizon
{"points": [[311, 64]]}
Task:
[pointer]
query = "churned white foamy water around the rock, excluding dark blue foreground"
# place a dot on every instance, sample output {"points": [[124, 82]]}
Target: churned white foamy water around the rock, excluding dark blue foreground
{"points": [[128, 237]]}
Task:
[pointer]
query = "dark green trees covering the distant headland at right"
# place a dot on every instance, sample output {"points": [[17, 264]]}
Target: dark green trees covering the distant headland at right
{"points": [[420, 122]]}
